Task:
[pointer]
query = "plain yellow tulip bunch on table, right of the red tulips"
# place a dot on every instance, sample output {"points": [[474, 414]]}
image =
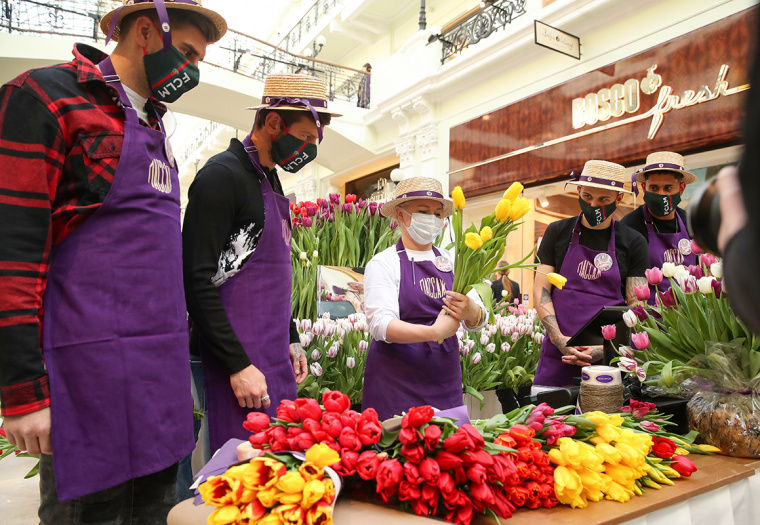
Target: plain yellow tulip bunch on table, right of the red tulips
{"points": [[608, 467]]}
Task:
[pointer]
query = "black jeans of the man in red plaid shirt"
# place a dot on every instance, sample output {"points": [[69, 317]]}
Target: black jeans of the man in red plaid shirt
{"points": [[140, 501]]}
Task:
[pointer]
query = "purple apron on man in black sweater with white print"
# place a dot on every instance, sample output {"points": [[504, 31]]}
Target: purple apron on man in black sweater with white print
{"points": [[257, 302]]}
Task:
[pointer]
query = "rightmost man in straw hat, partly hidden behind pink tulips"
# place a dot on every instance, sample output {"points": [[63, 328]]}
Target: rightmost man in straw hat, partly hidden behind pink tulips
{"points": [[663, 180]]}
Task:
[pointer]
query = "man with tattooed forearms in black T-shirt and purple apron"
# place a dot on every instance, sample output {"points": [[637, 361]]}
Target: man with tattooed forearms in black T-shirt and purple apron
{"points": [[602, 261]]}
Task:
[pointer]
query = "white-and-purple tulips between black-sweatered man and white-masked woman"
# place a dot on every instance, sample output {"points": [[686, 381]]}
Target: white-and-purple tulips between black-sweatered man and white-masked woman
{"points": [[336, 351]]}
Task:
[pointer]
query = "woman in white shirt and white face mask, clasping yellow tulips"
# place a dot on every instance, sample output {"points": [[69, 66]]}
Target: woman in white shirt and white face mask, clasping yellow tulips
{"points": [[412, 313]]}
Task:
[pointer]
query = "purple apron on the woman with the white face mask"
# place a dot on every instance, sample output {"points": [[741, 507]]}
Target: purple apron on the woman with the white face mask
{"points": [[400, 376]]}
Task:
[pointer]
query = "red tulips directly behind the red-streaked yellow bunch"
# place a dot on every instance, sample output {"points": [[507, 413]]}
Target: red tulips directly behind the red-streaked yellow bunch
{"points": [[302, 423]]}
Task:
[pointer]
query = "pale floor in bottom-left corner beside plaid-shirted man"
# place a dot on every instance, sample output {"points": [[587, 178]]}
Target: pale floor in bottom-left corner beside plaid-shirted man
{"points": [[19, 497]]}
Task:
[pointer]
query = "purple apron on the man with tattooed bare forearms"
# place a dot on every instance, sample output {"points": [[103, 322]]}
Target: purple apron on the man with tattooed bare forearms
{"points": [[593, 281]]}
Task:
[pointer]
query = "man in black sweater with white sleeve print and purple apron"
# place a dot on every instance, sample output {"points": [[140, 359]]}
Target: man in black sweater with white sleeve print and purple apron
{"points": [[237, 260]]}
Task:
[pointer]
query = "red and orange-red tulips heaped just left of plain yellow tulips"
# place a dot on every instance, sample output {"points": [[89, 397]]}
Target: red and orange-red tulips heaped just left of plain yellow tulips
{"points": [[439, 469]]}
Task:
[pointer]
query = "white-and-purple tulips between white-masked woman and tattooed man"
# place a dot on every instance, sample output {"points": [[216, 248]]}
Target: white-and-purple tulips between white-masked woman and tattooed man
{"points": [[503, 354]]}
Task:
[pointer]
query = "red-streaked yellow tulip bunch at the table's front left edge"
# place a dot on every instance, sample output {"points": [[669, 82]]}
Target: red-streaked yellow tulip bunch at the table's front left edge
{"points": [[273, 490]]}
